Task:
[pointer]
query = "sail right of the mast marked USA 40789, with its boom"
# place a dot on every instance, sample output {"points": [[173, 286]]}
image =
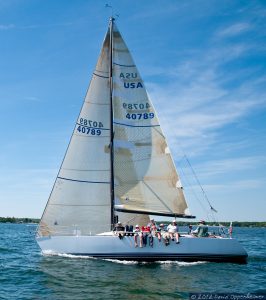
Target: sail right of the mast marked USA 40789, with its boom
{"points": [[146, 180]]}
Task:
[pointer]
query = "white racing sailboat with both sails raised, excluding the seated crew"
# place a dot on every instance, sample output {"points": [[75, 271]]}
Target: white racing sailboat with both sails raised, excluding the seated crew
{"points": [[118, 168]]}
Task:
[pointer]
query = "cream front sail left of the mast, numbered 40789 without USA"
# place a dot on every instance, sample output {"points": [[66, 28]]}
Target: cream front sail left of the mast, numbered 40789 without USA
{"points": [[80, 198]]}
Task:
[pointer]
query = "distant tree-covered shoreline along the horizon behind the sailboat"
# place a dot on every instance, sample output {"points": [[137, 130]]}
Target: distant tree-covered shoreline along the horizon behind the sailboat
{"points": [[182, 223]]}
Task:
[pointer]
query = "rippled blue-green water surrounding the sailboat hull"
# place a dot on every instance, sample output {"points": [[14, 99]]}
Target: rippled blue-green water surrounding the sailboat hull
{"points": [[27, 274]]}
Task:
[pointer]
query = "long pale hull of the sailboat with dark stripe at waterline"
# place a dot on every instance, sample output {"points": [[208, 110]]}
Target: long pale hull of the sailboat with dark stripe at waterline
{"points": [[189, 248]]}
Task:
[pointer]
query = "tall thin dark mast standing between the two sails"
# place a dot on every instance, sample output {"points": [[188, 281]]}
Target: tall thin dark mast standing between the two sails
{"points": [[112, 196]]}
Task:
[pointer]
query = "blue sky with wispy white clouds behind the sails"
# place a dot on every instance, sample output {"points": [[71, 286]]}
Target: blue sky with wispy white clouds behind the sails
{"points": [[204, 66]]}
